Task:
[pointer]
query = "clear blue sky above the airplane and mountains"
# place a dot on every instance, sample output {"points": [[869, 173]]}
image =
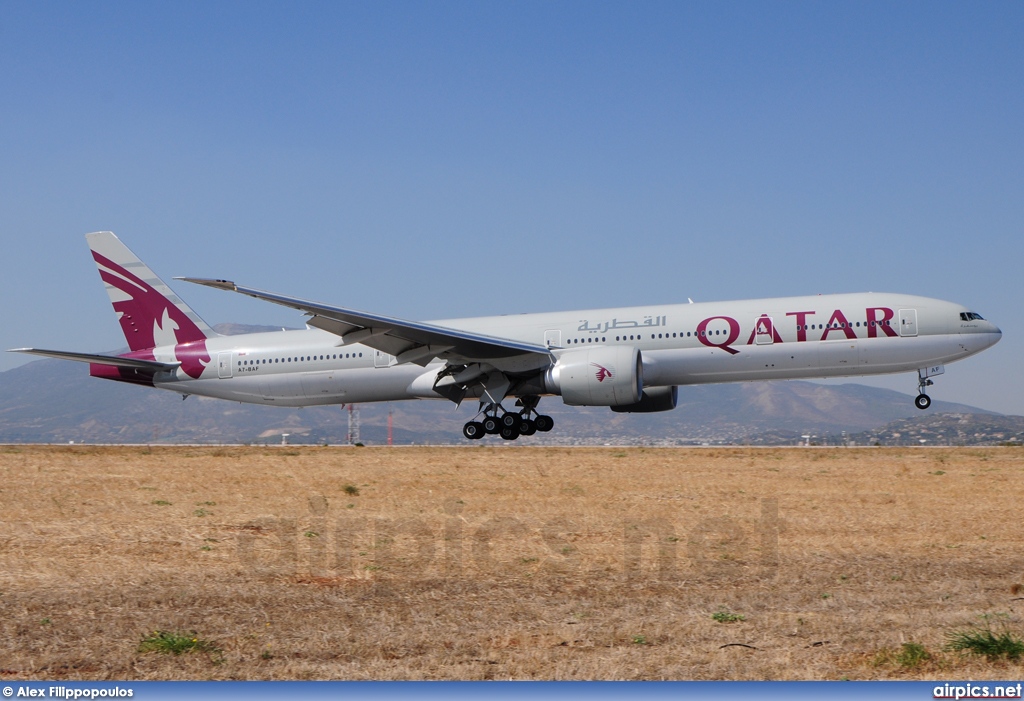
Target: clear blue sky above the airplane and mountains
{"points": [[450, 159]]}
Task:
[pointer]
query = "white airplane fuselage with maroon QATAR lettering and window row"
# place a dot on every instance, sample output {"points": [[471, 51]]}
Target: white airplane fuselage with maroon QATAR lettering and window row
{"points": [[681, 344]]}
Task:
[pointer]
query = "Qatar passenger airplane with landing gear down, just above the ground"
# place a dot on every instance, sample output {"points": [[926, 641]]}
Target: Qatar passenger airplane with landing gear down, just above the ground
{"points": [[630, 360]]}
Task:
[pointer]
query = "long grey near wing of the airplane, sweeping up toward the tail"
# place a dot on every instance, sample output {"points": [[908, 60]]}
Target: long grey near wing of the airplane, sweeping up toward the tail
{"points": [[408, 341]]}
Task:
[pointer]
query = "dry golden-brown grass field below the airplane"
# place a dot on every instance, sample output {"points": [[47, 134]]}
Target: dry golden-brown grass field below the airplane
{"points": [[507, 562]]}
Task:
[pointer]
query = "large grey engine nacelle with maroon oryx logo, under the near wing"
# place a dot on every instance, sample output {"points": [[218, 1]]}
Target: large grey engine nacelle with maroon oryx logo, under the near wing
{"points": [[599, 377]]}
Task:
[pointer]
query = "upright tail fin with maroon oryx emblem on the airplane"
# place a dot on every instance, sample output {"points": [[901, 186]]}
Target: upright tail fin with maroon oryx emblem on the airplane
{"points": [[150, 314]]}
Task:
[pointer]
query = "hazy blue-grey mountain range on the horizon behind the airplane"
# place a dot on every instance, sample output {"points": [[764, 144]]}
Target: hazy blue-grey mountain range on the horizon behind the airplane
{"points": [[57, 402]]}
